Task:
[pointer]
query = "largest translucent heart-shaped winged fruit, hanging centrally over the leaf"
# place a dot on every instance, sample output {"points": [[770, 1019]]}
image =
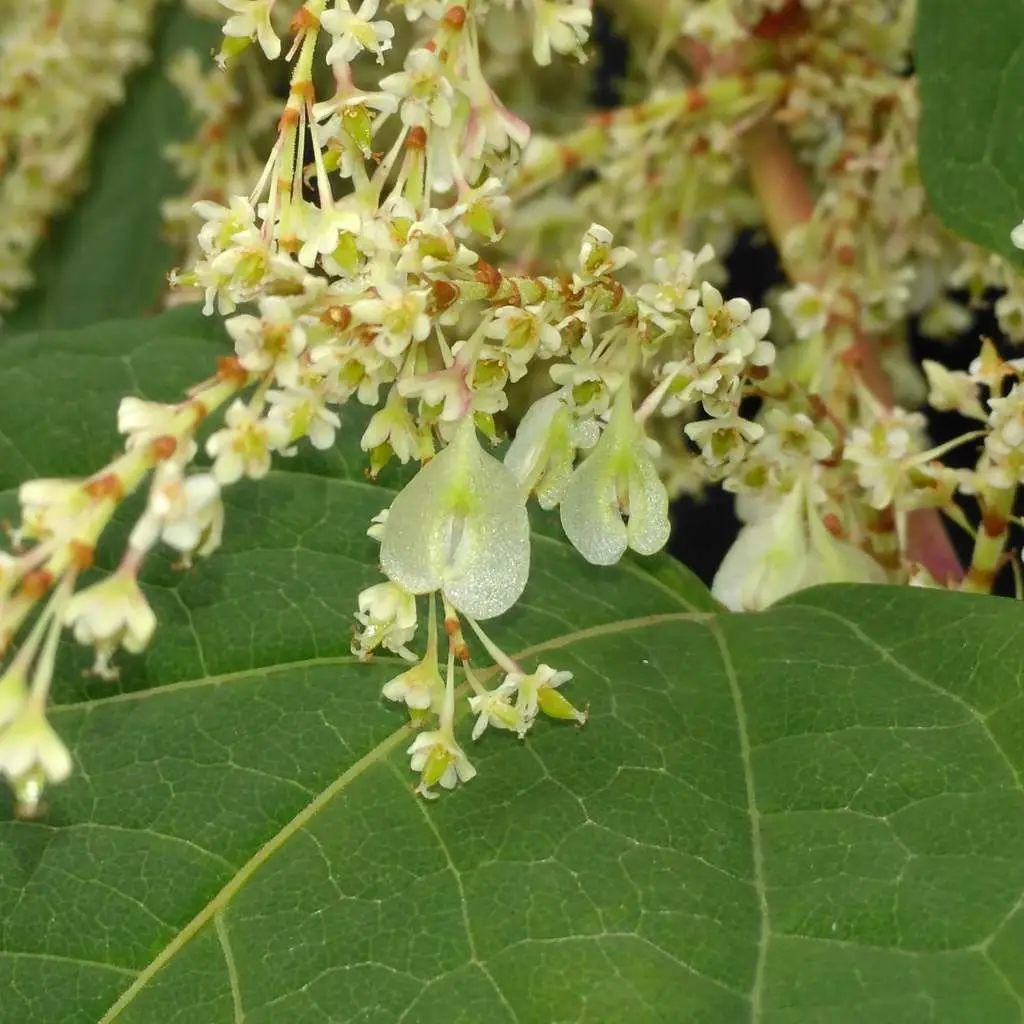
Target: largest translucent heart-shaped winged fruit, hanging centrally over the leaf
{"points": [[460, 527]]}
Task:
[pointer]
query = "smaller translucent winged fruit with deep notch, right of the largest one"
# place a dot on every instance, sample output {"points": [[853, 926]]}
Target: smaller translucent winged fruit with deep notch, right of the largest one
{"points": [[617, 480]]}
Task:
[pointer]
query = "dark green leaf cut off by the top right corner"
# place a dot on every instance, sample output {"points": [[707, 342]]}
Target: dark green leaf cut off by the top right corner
{"points": [[970, 64]]}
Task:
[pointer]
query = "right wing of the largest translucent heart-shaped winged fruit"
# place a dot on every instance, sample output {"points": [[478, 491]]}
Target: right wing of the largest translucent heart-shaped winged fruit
{"points": [[490, 564]]}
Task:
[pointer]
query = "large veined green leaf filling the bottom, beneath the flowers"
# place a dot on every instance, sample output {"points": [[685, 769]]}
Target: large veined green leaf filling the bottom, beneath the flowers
{"points": [[810, 816]]}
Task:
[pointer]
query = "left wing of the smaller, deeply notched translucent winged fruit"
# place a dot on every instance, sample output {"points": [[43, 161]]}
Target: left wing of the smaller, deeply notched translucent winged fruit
{"points": [[590, 511]]}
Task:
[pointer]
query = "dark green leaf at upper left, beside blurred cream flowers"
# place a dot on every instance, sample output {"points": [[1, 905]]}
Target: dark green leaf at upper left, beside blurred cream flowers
{"points": [[106, 258]]}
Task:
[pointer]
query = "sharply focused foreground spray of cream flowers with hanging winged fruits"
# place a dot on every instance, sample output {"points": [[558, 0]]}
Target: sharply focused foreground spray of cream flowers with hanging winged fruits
{"points": [[360, 252]]}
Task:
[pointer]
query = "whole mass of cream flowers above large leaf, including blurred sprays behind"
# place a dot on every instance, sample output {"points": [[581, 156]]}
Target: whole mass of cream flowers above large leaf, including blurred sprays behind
{"points": [[405, 243]]}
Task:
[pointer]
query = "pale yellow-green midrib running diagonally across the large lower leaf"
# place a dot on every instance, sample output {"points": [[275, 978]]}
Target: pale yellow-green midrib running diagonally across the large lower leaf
{"points": [[235, 885]]}
